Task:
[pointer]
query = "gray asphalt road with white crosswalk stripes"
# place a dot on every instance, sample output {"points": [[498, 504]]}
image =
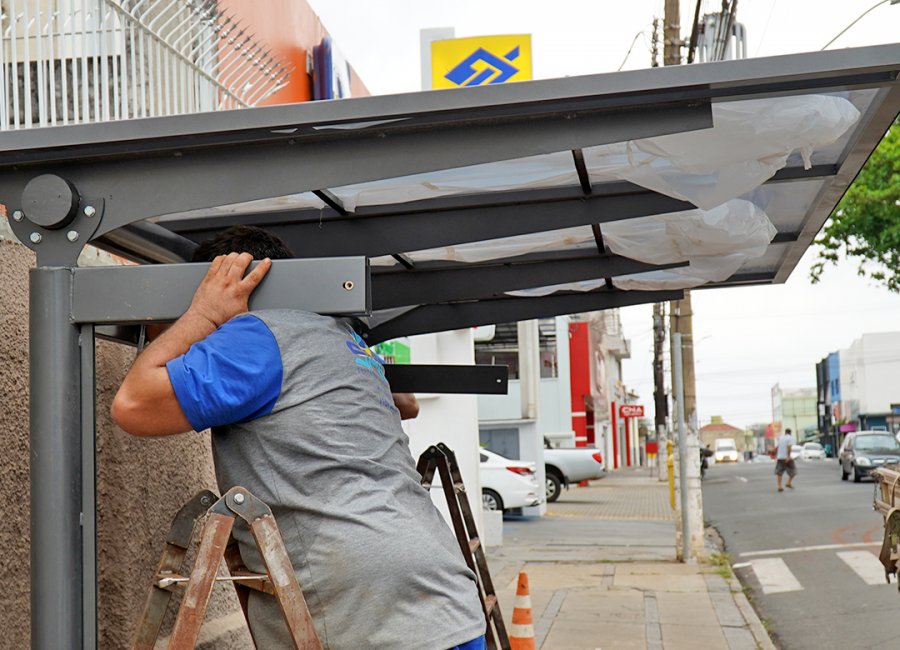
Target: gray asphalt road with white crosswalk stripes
{"points": [[807, 555]]}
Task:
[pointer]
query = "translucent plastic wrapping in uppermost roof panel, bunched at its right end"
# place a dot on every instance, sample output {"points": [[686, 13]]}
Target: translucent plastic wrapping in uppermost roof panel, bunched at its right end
{"points": [[749, 142]]}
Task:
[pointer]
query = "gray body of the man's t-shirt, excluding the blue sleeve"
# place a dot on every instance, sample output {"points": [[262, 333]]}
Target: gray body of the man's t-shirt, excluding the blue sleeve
{"points": [[378, 565]]}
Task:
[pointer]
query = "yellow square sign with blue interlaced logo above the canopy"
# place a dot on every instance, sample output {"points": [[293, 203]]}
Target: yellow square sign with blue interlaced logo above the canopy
{"points": [[480, 60]]}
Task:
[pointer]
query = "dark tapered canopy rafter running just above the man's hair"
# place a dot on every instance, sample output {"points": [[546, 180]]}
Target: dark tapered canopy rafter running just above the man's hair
{"points": [[448, 221]]}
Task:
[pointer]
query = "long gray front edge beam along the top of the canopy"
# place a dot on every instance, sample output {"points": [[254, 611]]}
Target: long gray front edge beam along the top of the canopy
{"points": [[817, 71]]}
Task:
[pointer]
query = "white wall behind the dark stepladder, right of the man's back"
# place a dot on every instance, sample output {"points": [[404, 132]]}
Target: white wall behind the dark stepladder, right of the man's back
{"points": [[451, 419]]}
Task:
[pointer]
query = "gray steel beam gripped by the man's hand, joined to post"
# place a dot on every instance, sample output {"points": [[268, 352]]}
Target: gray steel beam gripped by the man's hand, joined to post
{"points": [[133, 294]]}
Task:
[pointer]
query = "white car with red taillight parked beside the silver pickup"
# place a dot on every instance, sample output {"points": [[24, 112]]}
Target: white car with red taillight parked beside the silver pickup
{"points": [[506, 483]]}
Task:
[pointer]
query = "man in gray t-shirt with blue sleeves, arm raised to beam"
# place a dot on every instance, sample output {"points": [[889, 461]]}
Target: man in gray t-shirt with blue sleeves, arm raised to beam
{"points": [[303, 418]]}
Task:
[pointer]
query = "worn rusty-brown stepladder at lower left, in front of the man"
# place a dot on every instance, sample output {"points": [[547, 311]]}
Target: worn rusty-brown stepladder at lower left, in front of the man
{"points": [[216, 544]]}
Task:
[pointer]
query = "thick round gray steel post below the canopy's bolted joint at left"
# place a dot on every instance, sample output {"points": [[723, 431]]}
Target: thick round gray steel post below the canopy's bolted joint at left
{"points": [[56, 479]]}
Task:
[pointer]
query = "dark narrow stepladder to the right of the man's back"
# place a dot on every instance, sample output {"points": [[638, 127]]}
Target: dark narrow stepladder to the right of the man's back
{"points": [[441, 458]]}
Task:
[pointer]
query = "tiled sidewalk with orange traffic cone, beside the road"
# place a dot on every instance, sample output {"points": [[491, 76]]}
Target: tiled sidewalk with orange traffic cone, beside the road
{"points": [[602, 571]]}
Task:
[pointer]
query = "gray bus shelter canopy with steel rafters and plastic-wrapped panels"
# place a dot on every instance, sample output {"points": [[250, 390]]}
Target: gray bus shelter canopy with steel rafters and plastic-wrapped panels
{"points": [[488, 204]]}
